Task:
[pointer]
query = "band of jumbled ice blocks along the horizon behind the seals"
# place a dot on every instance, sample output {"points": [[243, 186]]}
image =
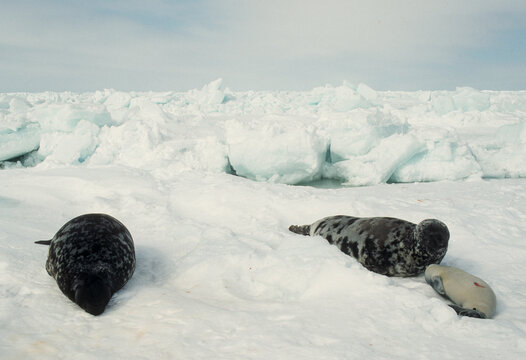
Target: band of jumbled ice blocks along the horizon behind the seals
{"points": [[352, 134]]}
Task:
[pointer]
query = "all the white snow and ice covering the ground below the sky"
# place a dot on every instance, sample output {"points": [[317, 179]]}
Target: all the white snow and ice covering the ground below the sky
{"points": [[218, 273]]}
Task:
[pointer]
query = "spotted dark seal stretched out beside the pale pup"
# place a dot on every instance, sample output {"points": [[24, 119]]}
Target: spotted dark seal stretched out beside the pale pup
{"points": [[387, 246]]}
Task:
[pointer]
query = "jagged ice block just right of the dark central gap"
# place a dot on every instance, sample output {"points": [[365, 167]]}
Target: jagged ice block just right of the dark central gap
{"points": [[366, 146]]}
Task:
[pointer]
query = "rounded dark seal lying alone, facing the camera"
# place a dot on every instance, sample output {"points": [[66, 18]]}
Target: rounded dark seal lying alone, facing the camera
{"points": [[91, 257]]}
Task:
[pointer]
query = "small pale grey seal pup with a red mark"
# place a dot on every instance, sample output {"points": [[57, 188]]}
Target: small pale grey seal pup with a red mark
{"points": [[471, 295]]}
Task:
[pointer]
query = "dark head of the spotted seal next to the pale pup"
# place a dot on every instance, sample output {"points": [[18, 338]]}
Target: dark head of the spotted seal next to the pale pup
{"points": [[432, 237]]}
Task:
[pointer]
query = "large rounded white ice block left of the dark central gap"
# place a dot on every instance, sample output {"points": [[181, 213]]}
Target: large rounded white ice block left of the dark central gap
{"points": [[275, 148]]}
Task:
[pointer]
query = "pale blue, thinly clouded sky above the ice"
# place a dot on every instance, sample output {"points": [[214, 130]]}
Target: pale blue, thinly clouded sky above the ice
{"points": [[170, 45]]}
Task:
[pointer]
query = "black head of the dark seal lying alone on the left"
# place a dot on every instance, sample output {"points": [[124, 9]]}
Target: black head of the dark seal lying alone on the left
{"points": [[92, 293]]}
